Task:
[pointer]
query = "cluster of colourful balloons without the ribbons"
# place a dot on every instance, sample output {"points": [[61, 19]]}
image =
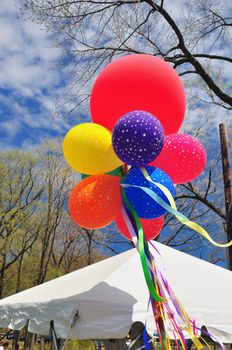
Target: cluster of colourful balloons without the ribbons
{"points": [[137, 106]]}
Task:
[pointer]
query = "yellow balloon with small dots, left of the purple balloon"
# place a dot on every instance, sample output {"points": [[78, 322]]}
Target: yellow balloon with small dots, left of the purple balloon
{"points": [[88, 149]]}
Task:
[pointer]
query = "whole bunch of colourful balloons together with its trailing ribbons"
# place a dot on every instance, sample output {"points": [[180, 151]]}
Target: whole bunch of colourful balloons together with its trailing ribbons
{"points": [[130, 158]]}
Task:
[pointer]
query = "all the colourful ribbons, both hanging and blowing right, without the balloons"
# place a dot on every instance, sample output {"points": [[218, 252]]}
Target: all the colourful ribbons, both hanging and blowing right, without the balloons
{"points": [[166, 308]]}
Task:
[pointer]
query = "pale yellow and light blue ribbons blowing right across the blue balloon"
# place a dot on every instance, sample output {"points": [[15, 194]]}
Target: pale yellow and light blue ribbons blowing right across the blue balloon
{"points": [[172, 208]]}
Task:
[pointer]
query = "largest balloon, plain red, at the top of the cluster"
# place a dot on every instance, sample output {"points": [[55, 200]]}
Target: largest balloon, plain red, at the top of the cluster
{"points": [[138, 82]]}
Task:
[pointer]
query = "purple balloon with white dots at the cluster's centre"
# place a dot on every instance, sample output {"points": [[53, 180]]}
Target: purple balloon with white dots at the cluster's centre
{"points": [[138, 138]]}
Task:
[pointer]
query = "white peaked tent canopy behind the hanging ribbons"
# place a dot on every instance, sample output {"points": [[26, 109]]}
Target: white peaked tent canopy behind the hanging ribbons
{"points": [[110, 295]]}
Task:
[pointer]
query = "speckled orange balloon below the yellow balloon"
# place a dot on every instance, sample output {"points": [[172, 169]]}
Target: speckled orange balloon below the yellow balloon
{"points": [[95, 201]]}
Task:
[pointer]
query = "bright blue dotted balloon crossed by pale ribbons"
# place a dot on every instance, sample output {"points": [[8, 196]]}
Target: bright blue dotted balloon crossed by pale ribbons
{"points": [[144, 205]]}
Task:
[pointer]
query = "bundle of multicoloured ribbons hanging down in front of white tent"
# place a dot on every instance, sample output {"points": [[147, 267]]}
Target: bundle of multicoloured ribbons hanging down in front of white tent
{"points": [[160, 294]]}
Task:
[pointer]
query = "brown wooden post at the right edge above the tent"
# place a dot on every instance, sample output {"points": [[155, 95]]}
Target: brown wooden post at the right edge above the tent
{"points": [[227, 187]]}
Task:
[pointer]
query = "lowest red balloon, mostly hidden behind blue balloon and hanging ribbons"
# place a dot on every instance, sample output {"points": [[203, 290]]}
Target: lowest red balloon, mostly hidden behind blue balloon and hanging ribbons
{"points": [[151, 227]]}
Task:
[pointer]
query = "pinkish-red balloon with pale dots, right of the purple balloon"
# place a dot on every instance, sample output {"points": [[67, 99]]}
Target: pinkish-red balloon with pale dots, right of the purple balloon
{"points": [[182, 157]]}
